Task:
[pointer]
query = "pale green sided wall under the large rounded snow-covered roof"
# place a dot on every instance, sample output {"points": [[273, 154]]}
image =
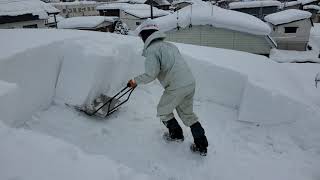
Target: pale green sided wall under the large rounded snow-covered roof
{"points": [[220, 38]]}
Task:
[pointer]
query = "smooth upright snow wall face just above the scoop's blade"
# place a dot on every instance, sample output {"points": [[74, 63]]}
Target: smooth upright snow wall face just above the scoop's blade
{"points": [[83, 77]]}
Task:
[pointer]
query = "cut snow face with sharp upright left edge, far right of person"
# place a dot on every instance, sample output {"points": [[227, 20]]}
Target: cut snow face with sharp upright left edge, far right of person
{"points": [[263, 106]]}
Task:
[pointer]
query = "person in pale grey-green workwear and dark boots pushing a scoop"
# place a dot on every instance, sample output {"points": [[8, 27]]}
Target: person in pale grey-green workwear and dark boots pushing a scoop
{"points": [[164, 62]]}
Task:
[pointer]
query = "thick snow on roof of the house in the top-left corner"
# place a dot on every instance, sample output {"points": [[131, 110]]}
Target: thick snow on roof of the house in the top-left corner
{"points": [[21, 7]]}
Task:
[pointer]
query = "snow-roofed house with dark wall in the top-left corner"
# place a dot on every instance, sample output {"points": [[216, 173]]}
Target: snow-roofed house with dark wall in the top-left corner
{"points": [[25, 13]]}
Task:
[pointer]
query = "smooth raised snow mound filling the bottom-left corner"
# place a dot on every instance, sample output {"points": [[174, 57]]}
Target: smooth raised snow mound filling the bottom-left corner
{"points": [[28, 155]]}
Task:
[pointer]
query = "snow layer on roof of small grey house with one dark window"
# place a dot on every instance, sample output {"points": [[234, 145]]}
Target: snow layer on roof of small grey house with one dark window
{"points": [[287, 16]]}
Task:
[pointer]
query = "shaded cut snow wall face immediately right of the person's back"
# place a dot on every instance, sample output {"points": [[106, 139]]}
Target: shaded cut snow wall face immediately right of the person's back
{"points": [[218, 84]]}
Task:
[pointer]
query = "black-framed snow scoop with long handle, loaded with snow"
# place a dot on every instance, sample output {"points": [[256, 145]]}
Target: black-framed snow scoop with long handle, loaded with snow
{"points": [[104, 106]]}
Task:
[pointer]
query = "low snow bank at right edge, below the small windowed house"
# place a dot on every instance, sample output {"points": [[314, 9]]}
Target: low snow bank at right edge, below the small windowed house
{"points": [[294, 56]]}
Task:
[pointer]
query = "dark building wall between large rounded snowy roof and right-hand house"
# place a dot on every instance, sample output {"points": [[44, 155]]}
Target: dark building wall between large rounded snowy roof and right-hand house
{"points": [[259, 12]]}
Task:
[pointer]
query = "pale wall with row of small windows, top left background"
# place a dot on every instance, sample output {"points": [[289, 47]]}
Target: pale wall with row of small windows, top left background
{"points": [[77, 10]]}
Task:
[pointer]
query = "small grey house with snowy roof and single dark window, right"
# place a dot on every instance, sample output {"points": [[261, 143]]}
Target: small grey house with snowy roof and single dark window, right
{"points": [[291, 29]]}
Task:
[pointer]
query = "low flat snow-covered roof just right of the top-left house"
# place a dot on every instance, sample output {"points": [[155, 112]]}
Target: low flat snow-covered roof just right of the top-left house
{"points": [[84, 22]]}
